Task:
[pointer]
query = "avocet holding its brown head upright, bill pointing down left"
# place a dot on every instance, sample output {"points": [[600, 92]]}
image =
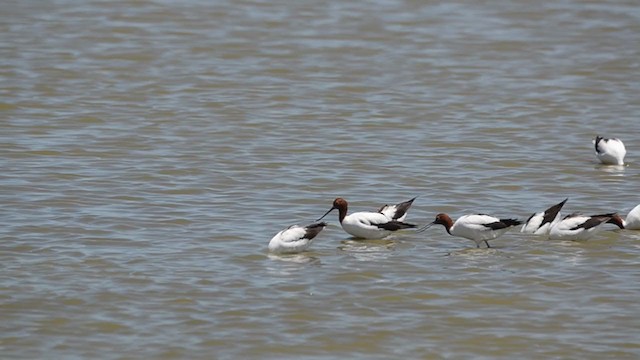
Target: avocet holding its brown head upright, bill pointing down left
{"points": [[366, 225]]}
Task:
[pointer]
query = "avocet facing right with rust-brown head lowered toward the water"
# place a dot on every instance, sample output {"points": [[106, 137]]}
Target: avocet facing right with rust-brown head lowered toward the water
{"points": [[582, 227]]}
